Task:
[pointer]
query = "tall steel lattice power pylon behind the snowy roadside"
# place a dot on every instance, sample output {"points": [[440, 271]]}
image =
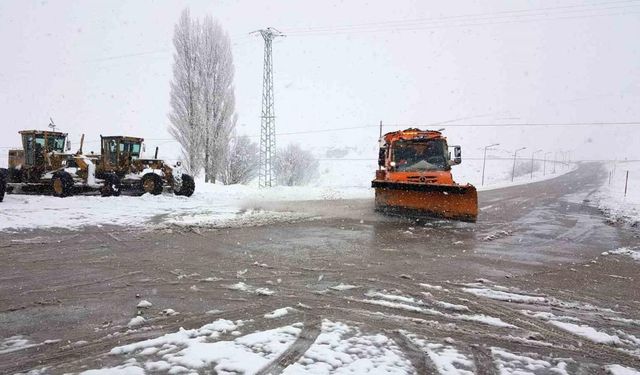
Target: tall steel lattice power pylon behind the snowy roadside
{"points": [[266, 176]]}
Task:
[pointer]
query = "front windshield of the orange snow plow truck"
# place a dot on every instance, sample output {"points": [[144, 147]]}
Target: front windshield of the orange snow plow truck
{"points": [[420, 155]]}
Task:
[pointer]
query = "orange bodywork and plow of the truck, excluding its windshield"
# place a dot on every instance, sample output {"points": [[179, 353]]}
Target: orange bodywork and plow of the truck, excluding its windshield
{"points": [[421, 192]]}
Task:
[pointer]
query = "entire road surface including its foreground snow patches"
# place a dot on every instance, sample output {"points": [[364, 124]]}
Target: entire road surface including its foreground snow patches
{"points": [[524, 290]]}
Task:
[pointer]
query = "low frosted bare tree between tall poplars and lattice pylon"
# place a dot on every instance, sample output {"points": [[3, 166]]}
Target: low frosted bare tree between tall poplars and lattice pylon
{"points": [[242, 163]]}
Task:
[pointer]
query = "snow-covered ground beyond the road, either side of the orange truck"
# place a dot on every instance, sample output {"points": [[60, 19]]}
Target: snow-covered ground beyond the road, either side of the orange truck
{"points": [[218, 205]]}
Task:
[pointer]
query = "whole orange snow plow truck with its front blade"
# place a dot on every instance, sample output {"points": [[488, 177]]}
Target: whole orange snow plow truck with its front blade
{"points": [[414, 177]]}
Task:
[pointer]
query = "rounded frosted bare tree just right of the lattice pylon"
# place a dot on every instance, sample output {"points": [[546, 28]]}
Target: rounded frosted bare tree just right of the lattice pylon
{"points": [[295, 166]]}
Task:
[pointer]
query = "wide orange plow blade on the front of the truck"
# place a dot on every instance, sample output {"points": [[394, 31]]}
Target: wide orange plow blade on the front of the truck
{"points": [[457, 202]]}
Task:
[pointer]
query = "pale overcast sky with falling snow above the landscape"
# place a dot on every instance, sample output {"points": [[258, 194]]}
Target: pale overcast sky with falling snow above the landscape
{"points": [[105, 66]]}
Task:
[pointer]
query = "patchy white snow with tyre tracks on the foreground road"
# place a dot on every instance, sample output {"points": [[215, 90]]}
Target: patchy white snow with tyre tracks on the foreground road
{"points": [[231, 347]]}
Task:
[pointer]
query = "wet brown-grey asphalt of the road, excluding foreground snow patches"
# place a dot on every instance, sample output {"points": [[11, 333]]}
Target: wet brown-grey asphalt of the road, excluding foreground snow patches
{"points": [[540, 238]]}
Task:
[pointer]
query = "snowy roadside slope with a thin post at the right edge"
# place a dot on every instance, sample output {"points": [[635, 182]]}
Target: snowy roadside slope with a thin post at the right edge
{"points": [[611, 197]]}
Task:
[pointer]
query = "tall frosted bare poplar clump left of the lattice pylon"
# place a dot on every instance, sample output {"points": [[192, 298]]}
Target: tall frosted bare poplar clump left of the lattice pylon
{"points": [[202, 94]]}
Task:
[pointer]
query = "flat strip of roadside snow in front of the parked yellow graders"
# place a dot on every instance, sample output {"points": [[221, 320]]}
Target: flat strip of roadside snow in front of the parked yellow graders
{"points": [[223, 209]]}
